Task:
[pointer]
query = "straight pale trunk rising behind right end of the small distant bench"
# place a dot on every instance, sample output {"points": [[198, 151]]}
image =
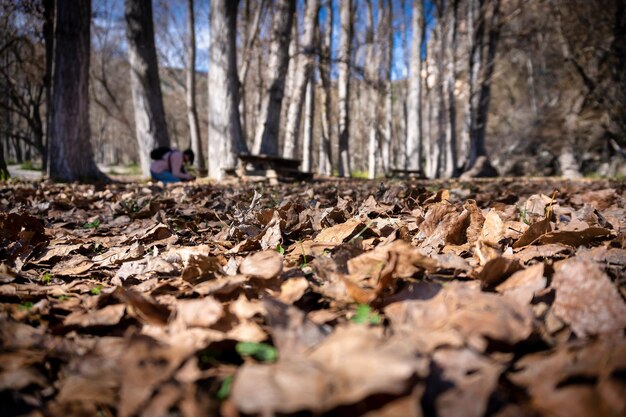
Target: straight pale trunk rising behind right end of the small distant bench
{"points": [[413, 136]]}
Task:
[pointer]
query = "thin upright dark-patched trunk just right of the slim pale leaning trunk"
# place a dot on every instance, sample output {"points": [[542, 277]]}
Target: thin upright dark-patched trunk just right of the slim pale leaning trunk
{"points": [[325, 164]]}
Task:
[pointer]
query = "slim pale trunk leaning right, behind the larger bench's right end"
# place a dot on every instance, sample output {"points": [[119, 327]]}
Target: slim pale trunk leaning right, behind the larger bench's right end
{"points": [[303, 68]]}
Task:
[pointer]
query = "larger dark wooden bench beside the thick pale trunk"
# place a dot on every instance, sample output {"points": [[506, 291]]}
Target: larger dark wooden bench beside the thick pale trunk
{"points": [[270, 167]]}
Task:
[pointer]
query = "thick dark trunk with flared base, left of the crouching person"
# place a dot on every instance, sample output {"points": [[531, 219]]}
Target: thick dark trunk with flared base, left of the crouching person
{"points": [[70, 147]]}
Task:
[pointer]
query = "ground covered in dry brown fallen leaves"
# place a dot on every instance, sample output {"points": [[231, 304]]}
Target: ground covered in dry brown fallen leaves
{"points": [[337, 298]]}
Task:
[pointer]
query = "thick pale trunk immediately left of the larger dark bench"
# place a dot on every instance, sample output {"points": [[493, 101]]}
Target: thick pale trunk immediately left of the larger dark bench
{"points": [[225, 134]]}
